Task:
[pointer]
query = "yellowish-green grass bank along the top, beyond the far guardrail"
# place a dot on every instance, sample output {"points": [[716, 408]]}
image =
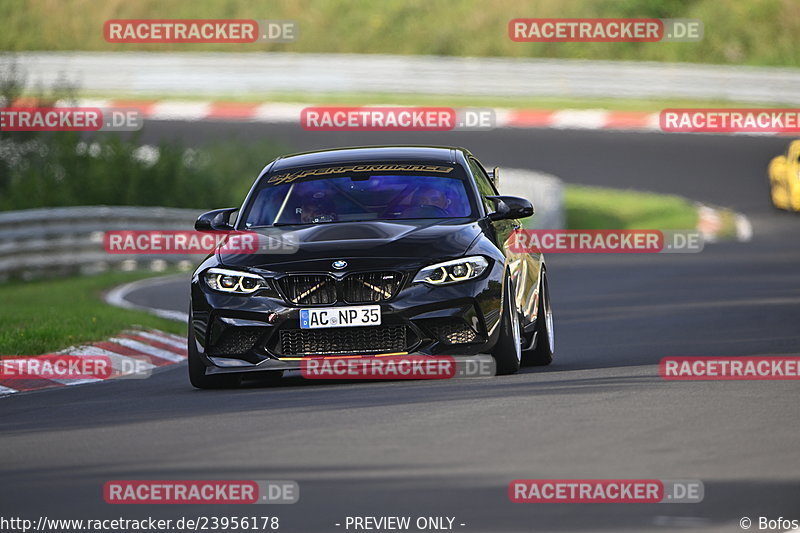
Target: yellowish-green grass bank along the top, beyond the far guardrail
{"points": [[752, 32]]}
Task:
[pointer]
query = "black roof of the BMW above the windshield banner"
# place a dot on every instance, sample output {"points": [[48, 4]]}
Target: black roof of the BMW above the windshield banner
{"points": [[440, 154]]}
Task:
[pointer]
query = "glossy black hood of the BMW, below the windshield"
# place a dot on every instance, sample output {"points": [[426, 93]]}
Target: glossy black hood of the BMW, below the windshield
{"points": [[383, 243]]}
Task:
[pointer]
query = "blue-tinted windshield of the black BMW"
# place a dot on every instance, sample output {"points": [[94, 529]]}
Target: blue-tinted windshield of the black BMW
{"points": [[358, 197]]}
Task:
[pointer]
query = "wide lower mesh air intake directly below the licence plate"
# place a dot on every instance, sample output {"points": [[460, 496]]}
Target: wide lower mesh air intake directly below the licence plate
{"points": [[337, 341]]}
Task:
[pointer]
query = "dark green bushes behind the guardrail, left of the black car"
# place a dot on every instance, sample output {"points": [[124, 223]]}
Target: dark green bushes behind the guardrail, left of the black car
{"points": [[41, 170]]}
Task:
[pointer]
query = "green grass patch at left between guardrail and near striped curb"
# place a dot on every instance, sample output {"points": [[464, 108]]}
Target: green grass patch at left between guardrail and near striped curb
{"points": [[47, 315]]}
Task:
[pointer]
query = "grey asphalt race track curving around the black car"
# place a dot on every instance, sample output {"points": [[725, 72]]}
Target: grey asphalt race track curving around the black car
{"points": [[451, 448]]}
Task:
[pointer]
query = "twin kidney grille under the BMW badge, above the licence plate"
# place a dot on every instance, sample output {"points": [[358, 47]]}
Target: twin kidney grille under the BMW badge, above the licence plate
{"points": [[321, 289]]}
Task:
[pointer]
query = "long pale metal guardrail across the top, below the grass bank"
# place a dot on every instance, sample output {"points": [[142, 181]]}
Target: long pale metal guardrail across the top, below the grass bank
{"points": [[167, 73]]}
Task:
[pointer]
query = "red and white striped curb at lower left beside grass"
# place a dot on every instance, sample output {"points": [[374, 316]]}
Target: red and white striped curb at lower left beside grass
{"points": [[125, 351]]}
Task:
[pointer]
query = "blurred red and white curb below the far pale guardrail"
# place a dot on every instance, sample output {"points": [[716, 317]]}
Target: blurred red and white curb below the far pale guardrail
{"points": [[289, 113]]}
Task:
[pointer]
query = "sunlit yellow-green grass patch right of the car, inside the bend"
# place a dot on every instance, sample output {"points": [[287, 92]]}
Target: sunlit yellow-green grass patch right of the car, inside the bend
{"points": [[599, 208]]}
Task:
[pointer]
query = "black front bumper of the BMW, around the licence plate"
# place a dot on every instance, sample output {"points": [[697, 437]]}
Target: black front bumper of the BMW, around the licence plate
{"points": [[241, 334]]}
